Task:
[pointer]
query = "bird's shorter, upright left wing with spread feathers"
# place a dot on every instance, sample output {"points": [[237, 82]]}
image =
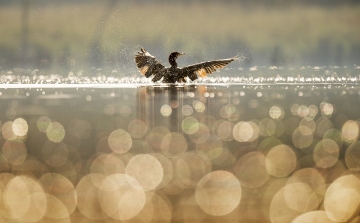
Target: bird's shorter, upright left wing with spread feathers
{"points": [[149, 65]]}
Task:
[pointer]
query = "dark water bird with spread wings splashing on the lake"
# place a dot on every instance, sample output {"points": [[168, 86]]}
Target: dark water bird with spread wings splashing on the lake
{"points": [[149, 66]]}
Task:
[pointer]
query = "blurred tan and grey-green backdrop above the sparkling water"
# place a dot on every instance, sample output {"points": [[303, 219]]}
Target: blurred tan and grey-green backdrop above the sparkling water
{"points": [[66, 35]]}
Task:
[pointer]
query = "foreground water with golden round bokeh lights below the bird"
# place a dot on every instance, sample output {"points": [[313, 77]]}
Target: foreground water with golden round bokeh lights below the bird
{"points": [[210, 153]]}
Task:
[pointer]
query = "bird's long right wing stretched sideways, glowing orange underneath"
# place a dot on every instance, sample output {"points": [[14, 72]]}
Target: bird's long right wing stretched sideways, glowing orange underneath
{"points": [[203, 69]]}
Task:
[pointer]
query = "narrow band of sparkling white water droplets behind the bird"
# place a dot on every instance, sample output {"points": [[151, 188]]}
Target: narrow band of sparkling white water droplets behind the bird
{"points": [[257, 75]]}
